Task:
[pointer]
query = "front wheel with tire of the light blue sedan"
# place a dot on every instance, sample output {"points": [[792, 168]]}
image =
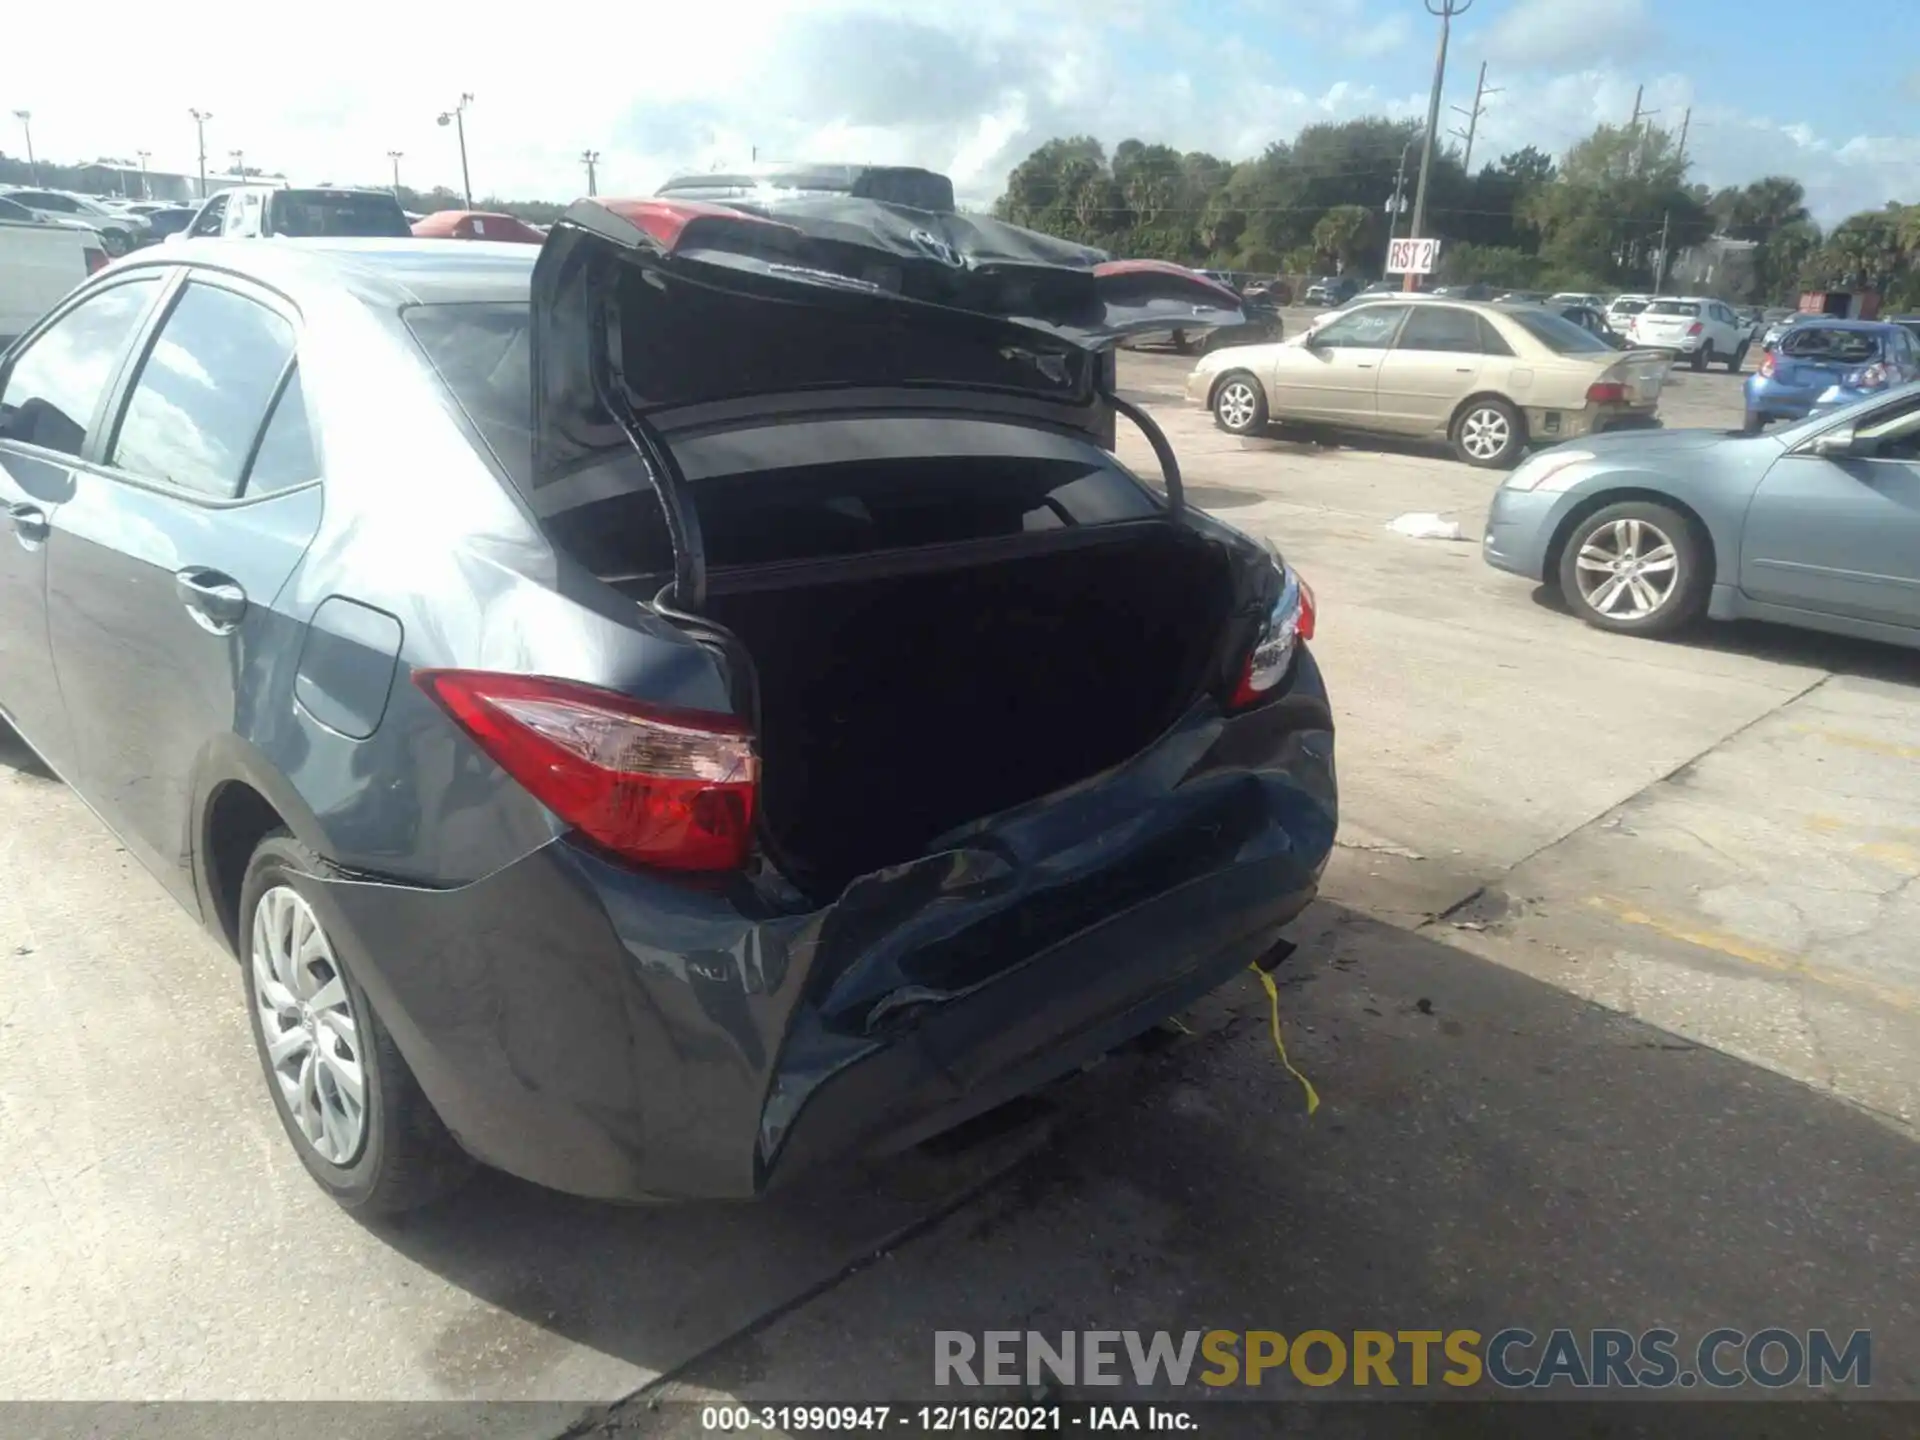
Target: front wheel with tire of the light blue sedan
{"points": [[1673, 573]]}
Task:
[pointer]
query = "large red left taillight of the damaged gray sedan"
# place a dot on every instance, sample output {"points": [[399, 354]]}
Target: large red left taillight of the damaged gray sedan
{"points": [[658, 786]]}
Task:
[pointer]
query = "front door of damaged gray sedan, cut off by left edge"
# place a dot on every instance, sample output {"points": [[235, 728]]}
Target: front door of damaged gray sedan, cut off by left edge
{"points": [[53, 406]]}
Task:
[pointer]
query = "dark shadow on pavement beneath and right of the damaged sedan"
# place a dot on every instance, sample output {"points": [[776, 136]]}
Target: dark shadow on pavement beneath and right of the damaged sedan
{"points": [[1491, 1153]]}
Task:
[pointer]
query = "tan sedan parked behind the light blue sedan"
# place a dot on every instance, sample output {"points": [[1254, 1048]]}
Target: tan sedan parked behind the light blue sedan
{"points": [[1491, 379]]}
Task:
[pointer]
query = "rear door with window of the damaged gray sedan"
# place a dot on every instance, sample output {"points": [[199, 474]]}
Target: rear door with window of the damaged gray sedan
{"points": [[164, 564]]}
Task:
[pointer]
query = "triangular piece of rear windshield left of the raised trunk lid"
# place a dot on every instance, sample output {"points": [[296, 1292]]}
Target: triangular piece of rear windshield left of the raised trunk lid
{"points": [[481, 354]]}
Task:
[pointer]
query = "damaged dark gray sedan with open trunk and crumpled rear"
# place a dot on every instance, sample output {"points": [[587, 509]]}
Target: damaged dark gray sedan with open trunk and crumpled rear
{"points": [[694, 708]]}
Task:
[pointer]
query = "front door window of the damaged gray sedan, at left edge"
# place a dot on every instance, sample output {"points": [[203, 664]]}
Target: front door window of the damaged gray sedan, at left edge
{"points": [[59, 381]]}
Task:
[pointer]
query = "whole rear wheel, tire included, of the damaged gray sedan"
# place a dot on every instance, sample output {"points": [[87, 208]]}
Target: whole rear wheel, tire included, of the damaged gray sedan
{"points": [[395, 1155]]}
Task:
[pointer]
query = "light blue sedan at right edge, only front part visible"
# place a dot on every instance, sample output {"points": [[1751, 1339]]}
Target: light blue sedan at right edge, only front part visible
{"points": [[1815, 525]]}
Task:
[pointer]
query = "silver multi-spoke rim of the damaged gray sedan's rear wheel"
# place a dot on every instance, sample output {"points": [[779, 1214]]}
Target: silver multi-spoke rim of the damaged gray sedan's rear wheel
{"points": [[308, 1026]]}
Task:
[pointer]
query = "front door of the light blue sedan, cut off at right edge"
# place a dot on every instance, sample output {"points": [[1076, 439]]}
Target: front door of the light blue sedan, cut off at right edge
{"points": [[1842, 537]]}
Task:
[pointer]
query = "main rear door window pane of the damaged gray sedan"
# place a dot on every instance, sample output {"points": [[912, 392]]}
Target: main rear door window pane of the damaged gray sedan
{"points": [[203, 393]]}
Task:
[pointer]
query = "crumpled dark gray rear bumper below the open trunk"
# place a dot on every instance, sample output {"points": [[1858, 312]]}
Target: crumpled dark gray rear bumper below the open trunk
{"points": [[629, 1036]]}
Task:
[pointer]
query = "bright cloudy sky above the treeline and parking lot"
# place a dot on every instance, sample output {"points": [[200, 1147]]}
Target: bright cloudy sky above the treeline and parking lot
{"points": [[969, 87]]}
